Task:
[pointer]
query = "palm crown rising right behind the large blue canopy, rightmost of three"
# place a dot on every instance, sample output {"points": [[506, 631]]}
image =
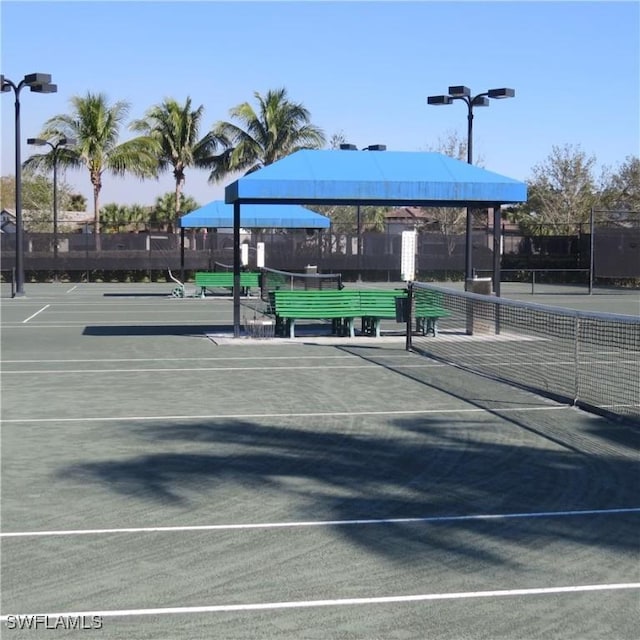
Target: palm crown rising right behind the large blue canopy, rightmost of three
{"points": [[277, 129]]}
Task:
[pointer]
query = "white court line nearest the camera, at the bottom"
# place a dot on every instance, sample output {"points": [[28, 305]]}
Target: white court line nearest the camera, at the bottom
{"points": [[303, 604]]}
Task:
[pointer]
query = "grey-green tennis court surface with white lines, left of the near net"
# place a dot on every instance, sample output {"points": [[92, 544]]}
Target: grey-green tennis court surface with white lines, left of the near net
{"points": [[162, 481]]}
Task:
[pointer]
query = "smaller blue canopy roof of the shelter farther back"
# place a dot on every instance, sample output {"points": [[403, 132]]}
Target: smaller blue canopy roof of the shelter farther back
{"points": [[218, 215]]}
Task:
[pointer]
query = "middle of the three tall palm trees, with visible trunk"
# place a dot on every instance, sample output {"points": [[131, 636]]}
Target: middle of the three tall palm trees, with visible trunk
{"points": [[175, 128]]}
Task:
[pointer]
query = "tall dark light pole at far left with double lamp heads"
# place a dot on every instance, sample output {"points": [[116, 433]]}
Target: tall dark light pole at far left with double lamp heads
{"points": [[38, 83]]}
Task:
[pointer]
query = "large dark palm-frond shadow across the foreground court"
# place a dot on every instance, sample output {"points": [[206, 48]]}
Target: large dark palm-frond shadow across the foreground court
{"points": [[419, 467]]}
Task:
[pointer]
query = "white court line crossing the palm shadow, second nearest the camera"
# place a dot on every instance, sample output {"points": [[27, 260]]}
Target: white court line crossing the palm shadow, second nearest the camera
{"points": [[319, 523]]}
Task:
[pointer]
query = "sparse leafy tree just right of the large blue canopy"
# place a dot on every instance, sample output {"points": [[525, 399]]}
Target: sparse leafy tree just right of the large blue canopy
{"points": [[561, 193]]}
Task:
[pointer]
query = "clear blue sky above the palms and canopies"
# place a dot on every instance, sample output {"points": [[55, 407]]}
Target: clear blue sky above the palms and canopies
{"points": [[362, 69]]}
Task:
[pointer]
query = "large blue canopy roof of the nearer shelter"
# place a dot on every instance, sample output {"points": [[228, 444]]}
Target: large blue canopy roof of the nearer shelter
{"points": [[375, 177]]}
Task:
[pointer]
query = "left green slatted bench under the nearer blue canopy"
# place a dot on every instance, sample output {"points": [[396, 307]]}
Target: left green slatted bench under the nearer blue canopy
{"points": [[339, 306]]}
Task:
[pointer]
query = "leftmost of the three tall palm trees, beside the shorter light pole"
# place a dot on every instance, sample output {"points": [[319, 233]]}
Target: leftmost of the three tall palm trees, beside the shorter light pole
{"points": [[94, 125]]}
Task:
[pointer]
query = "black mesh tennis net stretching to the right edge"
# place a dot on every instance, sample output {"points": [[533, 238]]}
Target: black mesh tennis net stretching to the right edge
{"points": [[589, 359]]}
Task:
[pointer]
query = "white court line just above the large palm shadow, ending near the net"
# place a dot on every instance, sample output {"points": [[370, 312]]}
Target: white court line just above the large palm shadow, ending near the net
{"points": [[317, 414]]}
